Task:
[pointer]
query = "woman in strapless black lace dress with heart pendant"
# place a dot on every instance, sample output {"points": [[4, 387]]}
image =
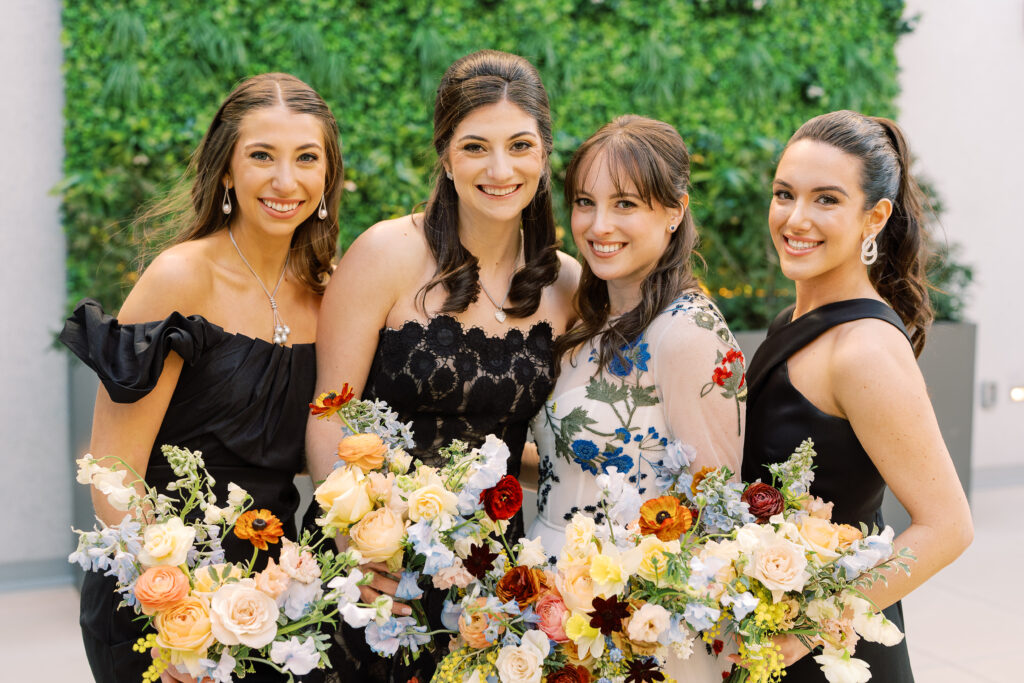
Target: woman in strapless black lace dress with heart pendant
{"points": [[449, 315]]}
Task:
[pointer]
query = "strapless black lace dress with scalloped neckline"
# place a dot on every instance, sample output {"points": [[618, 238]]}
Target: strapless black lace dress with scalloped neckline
{"points": [[451, 383]]}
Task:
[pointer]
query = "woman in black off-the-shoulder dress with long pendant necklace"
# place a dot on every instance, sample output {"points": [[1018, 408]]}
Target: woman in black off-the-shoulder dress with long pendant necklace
{"points": [[199, 358]]}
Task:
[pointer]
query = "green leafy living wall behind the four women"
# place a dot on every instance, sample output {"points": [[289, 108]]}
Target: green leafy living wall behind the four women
{"points": [[736, 77]]}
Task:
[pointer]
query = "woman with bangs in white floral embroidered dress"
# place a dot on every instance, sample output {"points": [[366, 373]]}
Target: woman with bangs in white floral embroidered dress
{"points": [[651, 360]]}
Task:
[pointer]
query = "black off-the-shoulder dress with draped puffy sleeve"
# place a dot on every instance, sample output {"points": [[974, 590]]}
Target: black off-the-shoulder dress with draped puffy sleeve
{"points": [[242, 402]]}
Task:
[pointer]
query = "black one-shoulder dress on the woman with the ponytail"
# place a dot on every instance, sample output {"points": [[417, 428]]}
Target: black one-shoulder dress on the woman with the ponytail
{"points": [[779, 418]]}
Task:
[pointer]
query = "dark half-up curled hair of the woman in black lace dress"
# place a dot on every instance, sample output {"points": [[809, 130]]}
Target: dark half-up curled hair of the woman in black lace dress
{"points": [[477, 80]]}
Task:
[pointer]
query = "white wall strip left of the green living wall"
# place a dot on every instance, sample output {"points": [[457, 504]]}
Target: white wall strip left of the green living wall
{"points": [[36, 482]]}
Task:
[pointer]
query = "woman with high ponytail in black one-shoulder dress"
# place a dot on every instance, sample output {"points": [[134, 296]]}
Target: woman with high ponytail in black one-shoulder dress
{"points": [[839, 367]]}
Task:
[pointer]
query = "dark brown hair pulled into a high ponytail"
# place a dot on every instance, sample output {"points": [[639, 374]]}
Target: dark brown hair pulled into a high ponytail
{"points": [[900, 274]]}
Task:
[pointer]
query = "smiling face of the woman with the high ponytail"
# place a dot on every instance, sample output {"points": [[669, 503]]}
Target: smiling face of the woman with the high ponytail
{"points": [[818, 218]]}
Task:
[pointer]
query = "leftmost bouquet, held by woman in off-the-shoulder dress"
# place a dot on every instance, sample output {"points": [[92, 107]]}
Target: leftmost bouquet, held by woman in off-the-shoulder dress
{"points": [[210, 618]]}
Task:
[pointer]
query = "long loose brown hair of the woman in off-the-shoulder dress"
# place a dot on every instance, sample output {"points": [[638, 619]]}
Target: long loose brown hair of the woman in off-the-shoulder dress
{"points": [[193, 209]]}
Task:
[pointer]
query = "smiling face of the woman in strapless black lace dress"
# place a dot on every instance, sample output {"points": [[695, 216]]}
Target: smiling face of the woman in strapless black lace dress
{"points": [[496, 159]]}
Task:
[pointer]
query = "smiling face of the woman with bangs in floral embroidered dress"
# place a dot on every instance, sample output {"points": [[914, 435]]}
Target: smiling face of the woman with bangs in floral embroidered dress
{"points": [[621, 238]]}
